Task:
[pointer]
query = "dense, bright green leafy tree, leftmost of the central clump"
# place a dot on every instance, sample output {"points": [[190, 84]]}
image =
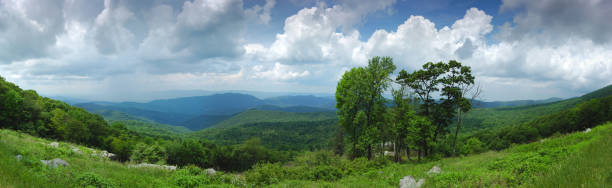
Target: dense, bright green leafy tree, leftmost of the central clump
{"points": [[361, 105]]}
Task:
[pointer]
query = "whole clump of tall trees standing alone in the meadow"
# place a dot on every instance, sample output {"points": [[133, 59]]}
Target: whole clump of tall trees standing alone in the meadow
{"points": [[413, 120]]}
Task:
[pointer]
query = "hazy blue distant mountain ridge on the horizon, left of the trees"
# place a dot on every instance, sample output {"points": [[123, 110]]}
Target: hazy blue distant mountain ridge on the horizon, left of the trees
{"points": [[200, 112]]}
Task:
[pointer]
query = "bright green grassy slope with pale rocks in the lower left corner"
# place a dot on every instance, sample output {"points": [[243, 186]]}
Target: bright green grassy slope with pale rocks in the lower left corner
{"points": [[84, 169]]}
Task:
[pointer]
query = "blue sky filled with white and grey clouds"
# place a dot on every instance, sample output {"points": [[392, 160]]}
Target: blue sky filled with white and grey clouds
{"points": [[118, 50]]}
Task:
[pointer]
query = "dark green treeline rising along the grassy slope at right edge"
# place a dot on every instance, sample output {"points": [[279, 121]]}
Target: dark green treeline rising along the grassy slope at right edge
{"points": [[585, 115]]}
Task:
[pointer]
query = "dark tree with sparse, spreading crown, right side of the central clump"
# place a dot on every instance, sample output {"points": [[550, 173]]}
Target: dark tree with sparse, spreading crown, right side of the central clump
{"points": [[447, 79]]}
